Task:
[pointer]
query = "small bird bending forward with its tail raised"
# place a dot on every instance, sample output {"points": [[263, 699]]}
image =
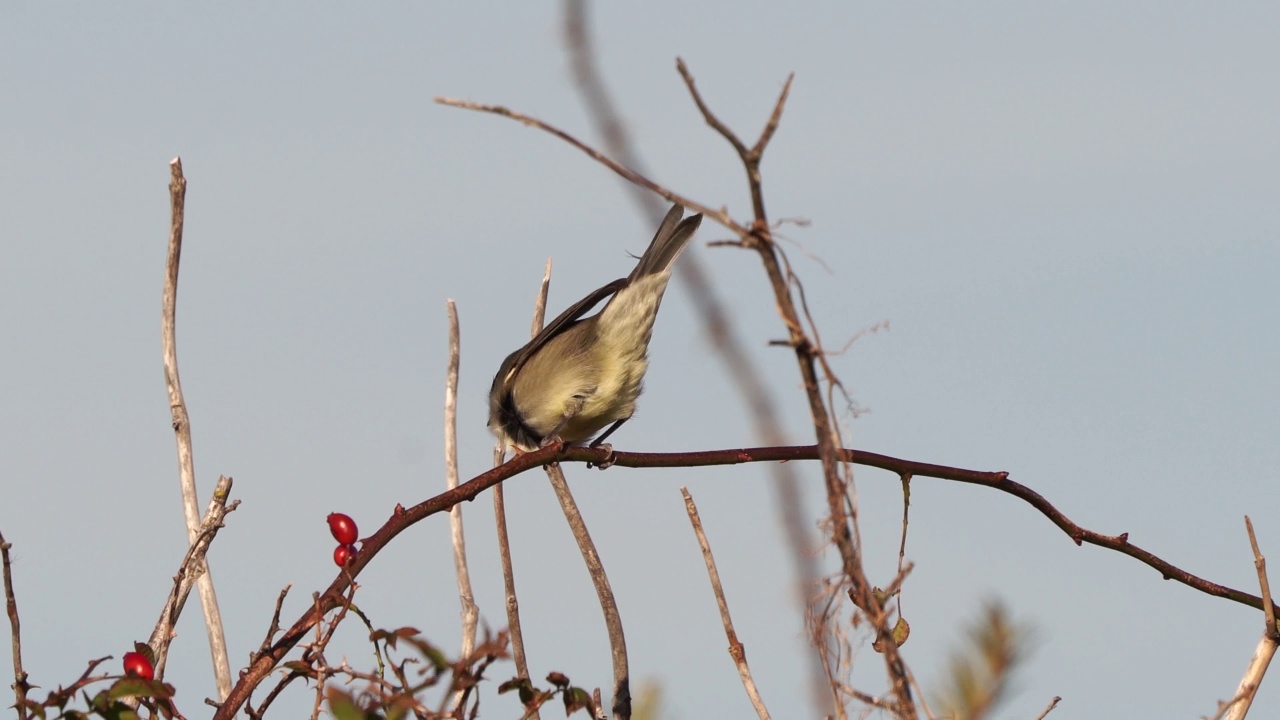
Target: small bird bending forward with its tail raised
{"points": [[582, 375]]}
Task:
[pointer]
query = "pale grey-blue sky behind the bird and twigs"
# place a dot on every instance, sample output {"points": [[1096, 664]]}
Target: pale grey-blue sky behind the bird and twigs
{"points": [[1066, 213]]}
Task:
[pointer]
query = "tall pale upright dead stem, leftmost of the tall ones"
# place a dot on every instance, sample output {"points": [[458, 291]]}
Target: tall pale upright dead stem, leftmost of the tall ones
{"points": [[182, 430]]}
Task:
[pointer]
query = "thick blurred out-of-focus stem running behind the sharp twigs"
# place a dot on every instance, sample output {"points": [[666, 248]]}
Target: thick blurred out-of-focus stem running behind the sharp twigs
{"points": [[717, 326]]}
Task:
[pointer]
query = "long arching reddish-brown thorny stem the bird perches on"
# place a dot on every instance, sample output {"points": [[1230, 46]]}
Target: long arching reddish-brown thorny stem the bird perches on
{"points": [[403, 520]]}
